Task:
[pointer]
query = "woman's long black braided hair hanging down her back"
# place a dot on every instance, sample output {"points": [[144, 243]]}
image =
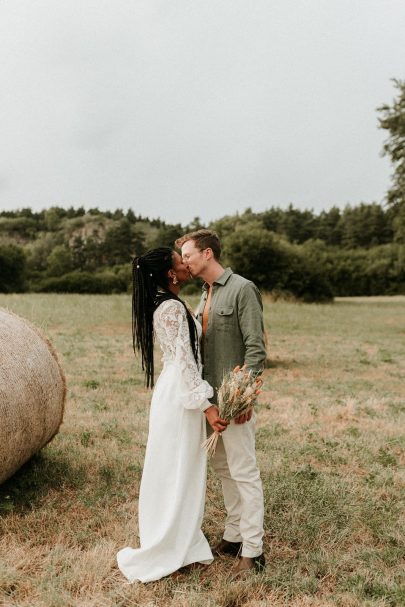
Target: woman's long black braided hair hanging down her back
{"points": [[151, 288]]}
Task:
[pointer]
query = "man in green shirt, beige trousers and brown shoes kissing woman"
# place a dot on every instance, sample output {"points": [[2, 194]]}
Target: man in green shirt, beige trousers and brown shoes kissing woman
{"points": [[231, 315]]}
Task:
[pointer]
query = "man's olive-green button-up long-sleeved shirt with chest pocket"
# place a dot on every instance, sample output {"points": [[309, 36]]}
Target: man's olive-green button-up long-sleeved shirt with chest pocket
{"points": [[235, 333]]}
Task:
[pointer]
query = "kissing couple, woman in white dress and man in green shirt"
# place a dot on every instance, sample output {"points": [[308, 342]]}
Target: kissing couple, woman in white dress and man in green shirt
{"points": [[197, 353]]}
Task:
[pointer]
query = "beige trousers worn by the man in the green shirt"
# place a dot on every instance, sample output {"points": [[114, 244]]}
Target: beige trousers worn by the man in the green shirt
{"points": [[235, 463]]}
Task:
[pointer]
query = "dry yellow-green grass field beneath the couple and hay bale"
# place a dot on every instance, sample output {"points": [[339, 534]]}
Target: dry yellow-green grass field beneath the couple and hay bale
{"points": [[329, 446]]}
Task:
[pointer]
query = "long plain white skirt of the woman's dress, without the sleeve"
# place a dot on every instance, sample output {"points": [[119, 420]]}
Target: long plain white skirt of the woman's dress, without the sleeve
{"points": [[172, 491]]}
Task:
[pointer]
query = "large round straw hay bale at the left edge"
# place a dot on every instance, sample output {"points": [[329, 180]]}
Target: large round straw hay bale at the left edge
{"points": [[32, 392]]}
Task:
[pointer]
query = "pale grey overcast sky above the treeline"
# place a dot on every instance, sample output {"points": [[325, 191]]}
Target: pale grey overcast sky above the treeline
{"points": [[184, 108]]}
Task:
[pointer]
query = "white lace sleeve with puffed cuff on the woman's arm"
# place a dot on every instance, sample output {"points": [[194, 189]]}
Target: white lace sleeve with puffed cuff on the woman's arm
{"points": [[173, 329]]}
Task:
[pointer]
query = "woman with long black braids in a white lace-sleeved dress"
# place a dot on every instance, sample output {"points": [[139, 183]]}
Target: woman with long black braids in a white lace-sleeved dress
{"points": [[172, 491]]}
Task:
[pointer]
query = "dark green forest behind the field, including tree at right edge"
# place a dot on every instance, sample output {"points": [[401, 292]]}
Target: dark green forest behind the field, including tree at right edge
{"points": [[359, 250]]}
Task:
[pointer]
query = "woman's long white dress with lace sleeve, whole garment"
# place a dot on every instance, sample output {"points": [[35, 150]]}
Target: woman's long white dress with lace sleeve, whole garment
{"points": [[172, 492]]}
